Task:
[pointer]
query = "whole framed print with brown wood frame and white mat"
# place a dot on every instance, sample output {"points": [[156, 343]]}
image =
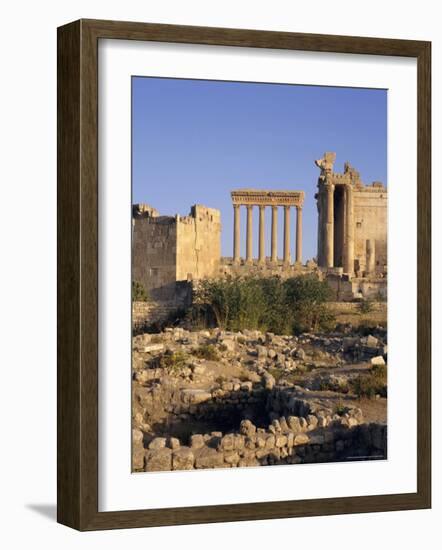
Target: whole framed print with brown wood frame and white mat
{"points": [[243, 275]]}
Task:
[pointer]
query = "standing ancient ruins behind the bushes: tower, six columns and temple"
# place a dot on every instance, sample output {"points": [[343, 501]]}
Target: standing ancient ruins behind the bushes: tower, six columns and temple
{"points": [[169, 252]]}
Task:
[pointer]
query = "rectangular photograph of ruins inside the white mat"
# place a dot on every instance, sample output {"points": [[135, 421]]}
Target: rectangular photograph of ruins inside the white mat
{"points": [[259, 274]]}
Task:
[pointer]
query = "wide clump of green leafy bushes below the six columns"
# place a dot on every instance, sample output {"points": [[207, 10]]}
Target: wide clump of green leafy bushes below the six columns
{"points": [[268, 304]]}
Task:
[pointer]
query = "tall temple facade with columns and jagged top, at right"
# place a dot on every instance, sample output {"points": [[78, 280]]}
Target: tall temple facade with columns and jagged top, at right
{"points": [[352, 221]]}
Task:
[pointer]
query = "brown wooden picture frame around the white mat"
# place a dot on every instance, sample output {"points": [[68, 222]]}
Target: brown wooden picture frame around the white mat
{"points": [[78, 274]]}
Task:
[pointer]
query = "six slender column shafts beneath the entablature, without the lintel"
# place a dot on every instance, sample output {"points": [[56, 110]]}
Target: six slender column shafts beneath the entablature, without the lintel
{"points": [[274, 234]]}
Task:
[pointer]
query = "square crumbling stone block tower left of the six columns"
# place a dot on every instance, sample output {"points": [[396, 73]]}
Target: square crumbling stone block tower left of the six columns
{"points": [[170, 251]]}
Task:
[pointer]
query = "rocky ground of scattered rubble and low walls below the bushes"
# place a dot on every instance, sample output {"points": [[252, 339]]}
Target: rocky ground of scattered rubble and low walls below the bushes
{"points": [[228, 410]]}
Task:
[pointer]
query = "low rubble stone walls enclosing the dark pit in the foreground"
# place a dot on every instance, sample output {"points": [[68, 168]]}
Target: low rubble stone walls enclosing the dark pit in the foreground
{"points": [[298, 432]]}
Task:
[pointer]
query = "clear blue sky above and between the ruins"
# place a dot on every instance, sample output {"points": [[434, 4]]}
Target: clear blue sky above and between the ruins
{"points": [[195, 140]]}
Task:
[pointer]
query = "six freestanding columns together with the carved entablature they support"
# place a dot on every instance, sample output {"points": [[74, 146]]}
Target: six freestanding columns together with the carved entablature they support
{"points": [[274, 199]]}
